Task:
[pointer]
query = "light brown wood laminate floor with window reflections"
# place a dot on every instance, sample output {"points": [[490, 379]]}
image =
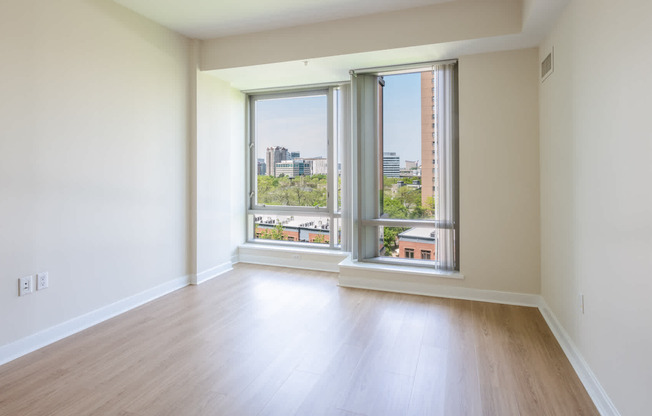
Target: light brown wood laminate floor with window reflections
{"points": [[273, 341]]}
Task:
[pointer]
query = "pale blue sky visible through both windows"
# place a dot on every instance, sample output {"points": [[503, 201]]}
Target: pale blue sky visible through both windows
{"points": [[299, 123]]}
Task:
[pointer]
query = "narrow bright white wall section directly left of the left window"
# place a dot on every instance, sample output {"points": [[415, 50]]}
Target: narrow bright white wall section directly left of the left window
{"points": [[220, 175]]}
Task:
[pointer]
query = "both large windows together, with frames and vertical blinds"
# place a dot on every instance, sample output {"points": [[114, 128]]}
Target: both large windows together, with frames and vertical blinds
{"points": [[400, 162]]}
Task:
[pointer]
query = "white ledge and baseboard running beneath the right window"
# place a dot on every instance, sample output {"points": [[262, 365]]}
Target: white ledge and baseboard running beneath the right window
{"points": [[415, 281]]}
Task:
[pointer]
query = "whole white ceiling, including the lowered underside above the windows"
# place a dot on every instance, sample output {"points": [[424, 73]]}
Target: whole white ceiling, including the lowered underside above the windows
{"points": [[209, 19]]}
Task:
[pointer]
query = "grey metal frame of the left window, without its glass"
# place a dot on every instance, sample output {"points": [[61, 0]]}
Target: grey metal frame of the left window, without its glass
{"points": [[330, 211]]}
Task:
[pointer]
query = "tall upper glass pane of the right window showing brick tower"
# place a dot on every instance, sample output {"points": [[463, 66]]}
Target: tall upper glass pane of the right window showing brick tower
{"points": [[407, 147]]}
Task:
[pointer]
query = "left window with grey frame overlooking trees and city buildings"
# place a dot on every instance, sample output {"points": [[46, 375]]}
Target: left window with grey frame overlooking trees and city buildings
{"points": [[294, 186]]}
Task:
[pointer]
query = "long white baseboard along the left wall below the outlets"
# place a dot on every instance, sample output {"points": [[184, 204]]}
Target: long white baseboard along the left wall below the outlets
{"points": [[55, 333]]}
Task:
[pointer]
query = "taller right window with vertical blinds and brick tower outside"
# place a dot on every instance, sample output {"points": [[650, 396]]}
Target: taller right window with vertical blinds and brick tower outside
{"points": [[406, 135]]}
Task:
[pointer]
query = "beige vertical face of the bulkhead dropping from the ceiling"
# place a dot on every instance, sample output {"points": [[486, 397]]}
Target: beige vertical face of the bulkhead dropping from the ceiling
{"points": [[439, 23]]}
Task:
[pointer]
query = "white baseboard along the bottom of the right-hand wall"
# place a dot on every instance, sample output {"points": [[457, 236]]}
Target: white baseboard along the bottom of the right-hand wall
{"points": [[587, 377]]}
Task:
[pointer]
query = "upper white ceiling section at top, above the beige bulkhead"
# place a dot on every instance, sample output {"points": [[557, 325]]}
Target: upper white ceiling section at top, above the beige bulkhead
{"points": [[207, 19]]}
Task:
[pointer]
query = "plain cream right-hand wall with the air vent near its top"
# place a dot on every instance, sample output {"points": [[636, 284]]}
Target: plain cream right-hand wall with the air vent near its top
{"points": [[596, 203]]}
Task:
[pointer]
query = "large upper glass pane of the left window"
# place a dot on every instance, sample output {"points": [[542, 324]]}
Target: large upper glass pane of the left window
{"points": [[291, 151]]}
